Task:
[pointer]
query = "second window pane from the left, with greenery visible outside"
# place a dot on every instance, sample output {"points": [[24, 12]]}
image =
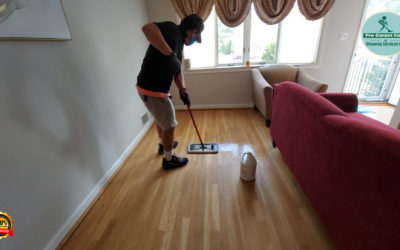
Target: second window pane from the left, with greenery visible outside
{"points": [[230, 44]]}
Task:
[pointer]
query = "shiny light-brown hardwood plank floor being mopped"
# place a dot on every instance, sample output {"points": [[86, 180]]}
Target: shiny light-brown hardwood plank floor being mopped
{"points": [[204, 205]]}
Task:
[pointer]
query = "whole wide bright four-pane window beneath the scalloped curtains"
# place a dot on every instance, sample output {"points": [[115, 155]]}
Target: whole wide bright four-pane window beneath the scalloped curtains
{"points": [[294, 40]]}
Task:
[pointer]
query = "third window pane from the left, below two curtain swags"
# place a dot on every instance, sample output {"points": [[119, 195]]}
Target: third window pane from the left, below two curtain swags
{"points": [[262, 40]]}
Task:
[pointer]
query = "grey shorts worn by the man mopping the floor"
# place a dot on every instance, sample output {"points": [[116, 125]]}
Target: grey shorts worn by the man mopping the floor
{"points": [[162, 110]]}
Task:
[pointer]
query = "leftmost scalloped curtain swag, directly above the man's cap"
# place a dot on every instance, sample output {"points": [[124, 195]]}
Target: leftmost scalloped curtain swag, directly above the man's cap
{"points": [[186, 7]]}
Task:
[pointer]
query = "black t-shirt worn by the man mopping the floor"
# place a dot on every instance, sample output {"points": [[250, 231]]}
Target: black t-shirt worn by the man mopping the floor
{"points": [[155, 74]]}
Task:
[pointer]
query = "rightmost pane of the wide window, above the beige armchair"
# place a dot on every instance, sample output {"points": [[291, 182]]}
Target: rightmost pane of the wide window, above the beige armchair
{"points": [[299, 38]]}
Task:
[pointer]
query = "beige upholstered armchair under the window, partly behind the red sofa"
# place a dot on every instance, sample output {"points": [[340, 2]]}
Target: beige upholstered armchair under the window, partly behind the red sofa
{"points": [[264, 79]]}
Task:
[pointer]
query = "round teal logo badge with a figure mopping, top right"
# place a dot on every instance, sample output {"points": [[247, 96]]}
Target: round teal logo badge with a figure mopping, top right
{"points": [[381, 33]]}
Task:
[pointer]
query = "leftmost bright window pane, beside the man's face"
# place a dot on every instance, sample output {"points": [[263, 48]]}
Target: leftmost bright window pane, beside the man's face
{"points": [[203, 54]]}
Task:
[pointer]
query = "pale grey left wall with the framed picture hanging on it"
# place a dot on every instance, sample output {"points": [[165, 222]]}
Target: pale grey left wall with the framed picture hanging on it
{"points": [[68, 111]]}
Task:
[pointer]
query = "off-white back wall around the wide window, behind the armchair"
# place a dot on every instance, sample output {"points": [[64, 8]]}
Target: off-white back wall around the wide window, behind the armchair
{"points": [[223, 89]]}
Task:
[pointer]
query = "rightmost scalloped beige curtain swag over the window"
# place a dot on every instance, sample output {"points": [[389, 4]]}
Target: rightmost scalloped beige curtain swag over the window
{"points": [[315, 9]]}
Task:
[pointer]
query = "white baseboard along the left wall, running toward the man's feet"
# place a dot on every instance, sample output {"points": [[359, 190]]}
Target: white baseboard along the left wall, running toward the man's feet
{"points": [[70, 222]]}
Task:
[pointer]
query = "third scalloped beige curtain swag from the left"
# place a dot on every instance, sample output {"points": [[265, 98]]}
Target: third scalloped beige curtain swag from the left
{"points": [[273, 11]]}
